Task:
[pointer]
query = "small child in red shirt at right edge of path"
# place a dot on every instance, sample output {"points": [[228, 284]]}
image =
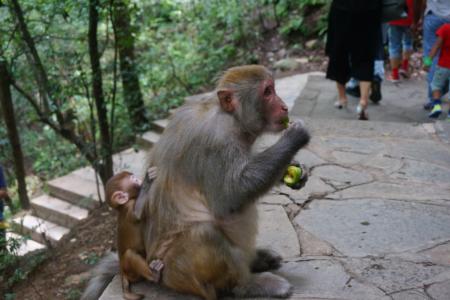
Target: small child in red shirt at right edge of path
{"points": [[442, 73]]}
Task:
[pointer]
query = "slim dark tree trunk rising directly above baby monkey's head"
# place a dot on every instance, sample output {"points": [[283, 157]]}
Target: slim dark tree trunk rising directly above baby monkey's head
{"points": [[106, 164]]}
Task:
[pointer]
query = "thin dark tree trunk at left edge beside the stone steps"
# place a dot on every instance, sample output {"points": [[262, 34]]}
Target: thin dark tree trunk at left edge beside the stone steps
{"points": [[13, 136]]}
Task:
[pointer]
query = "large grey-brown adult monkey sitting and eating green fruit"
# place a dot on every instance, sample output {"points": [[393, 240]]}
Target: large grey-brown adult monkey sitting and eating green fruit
{"points": [[200, 215]]}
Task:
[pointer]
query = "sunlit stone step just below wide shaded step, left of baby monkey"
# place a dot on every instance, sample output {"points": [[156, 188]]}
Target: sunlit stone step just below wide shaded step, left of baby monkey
{"points": [[58, 211]]}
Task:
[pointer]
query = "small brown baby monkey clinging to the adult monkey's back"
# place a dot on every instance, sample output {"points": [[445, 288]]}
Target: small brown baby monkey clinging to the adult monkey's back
{"points": [[122, 191]]}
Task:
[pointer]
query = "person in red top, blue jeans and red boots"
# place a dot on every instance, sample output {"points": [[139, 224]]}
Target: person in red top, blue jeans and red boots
{"points": [[400, 34]]}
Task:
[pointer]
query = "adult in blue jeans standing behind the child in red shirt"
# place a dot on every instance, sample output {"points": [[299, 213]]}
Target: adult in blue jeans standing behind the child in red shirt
{"points": [[435, 14]]}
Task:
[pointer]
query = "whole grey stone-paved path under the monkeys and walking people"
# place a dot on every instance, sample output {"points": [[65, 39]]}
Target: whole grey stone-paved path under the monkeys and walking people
{"points": [[373, 221]]}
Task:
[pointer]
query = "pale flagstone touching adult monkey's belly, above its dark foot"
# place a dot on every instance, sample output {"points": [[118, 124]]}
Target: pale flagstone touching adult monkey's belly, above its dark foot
{"points": [[276, 231]]}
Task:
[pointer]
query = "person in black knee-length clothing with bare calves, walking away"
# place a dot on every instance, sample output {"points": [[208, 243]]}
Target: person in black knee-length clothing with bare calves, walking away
{"points": [[353, 26]]}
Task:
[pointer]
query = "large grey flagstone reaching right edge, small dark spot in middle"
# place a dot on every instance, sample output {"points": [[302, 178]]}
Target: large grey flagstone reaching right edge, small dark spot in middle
{"points": [[358, 228]]}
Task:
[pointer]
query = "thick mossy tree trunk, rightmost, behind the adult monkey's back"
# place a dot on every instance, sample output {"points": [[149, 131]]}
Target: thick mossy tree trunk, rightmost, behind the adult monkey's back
{"points": [[130, 81]]}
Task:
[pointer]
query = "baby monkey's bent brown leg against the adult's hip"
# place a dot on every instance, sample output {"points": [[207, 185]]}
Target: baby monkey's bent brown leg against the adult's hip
{"points": [[136, 264]]}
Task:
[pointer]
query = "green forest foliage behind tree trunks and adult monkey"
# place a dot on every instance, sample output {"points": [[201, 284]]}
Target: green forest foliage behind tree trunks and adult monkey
{"points": [[181, 46]]}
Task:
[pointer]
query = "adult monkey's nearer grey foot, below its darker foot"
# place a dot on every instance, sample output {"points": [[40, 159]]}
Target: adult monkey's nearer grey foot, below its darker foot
{"points": [[264, 285]]}
